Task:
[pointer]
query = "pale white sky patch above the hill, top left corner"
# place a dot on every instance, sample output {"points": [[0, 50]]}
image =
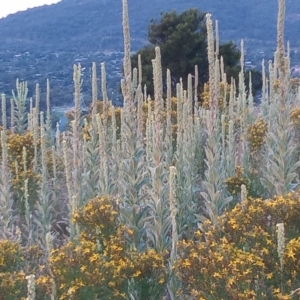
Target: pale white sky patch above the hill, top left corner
{"points": [[12, 6]]}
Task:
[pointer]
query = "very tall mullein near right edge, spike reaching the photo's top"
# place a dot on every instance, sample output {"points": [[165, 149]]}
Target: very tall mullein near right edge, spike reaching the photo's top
{"points": [[279, 174]]}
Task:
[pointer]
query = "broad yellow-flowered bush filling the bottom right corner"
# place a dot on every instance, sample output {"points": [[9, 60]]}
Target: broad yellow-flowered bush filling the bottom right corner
{"points": [[240, 260]]}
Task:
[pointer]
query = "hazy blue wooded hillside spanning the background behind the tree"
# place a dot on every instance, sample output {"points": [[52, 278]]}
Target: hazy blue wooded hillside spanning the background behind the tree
{"points": [[71, 31]]}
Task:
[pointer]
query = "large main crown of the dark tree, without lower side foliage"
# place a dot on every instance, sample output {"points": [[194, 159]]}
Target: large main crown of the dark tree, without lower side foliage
{"points": [[182, 40]]}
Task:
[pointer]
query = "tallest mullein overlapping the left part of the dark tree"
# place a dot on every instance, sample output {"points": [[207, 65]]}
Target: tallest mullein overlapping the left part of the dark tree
{"points": [[158, 226]]}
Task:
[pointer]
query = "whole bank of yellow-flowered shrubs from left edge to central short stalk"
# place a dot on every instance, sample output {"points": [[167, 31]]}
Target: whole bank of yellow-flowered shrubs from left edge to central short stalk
{"points": [[97, 265]]}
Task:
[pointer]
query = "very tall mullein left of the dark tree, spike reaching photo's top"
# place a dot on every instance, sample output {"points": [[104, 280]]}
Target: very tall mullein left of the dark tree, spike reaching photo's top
{"points": [[133, 174]]}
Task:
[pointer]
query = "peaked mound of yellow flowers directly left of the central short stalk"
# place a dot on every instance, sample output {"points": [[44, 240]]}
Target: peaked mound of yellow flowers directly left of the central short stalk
{"points": [[101, 261]]}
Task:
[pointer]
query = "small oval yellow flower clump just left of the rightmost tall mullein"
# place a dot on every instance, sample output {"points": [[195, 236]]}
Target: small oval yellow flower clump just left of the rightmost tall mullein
{"points": [[257, 133]]}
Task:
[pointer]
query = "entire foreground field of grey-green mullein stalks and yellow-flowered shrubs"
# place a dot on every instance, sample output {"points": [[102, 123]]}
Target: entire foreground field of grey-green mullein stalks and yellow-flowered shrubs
{"points": [[166, 197]]}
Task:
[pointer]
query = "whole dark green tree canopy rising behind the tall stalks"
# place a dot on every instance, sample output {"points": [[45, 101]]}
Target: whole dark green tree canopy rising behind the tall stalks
{"points": [[182, 39]]}
